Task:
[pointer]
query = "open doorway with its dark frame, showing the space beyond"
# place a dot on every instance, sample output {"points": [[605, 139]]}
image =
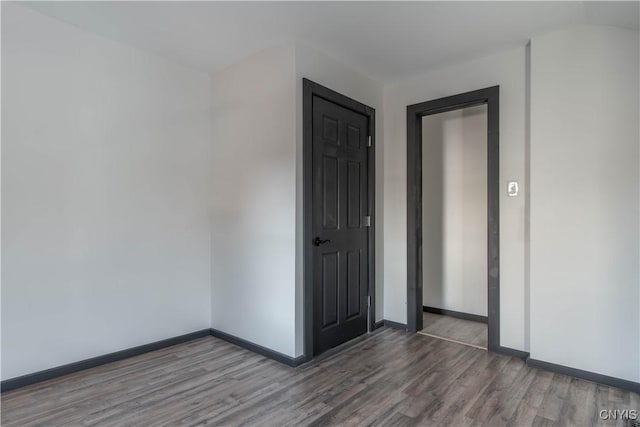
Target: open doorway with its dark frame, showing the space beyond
{"points": [[453, 238]]}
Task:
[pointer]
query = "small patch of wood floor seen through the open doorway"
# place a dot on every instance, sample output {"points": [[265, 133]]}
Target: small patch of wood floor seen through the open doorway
{"points": [[462, 330]]}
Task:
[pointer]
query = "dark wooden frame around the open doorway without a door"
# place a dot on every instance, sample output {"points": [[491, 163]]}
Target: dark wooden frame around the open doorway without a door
{"points": [[489, 96]]}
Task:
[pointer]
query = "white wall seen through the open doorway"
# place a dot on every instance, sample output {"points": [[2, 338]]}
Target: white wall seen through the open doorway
{"points": [[454, 214]]}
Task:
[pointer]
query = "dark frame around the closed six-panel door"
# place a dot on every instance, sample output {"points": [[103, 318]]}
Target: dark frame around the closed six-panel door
{"points": [[309, 91]]}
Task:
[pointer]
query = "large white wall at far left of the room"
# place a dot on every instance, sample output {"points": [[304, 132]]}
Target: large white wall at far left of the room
{"points": [[104, 204]]}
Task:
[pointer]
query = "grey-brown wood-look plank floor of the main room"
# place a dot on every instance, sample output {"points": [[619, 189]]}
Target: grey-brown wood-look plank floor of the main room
{"points": [[389, 378]]}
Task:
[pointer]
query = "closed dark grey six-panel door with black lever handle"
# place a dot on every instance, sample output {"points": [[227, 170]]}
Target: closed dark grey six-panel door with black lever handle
{"points": [[340, 270]]}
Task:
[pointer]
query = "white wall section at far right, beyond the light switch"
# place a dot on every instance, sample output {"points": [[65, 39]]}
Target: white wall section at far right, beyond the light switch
{"points": [[585, 187]]}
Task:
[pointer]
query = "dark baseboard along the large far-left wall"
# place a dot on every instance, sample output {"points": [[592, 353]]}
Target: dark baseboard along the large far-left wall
{"points": [[59, 371]]}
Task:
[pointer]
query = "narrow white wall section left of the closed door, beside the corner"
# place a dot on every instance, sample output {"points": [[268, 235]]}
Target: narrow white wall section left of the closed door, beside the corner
{"points": [[254, 199]]}
